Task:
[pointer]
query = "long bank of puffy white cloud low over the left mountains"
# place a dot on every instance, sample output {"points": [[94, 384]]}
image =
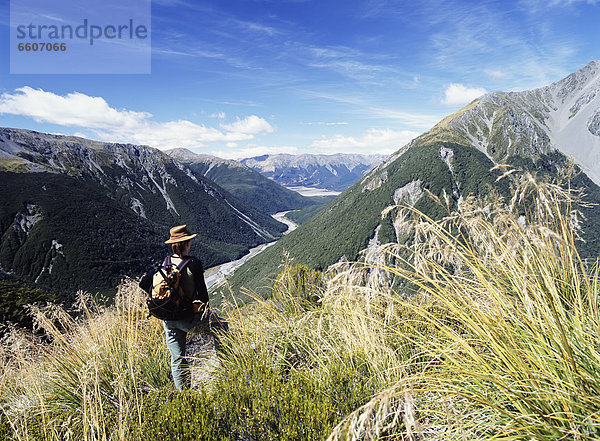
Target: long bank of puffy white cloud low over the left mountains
{"points": [[121, 125]]}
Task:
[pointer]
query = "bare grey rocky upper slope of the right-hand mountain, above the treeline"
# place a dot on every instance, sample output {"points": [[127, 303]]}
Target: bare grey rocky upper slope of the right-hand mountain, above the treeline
{"points": [[564, 117]]}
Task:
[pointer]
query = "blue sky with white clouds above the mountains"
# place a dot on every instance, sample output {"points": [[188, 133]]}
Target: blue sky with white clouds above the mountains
{"points": [[241, 78]]}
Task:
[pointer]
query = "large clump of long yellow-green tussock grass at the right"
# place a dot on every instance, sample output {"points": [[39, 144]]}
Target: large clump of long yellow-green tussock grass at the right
{"points": [[516, 352]]}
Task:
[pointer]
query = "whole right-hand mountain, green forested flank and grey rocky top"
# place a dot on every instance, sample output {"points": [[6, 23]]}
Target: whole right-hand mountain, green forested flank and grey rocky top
{"points": [[537, 130]]}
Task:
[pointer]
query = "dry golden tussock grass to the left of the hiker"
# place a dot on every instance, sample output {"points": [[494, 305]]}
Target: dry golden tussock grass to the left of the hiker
{"points": [[90, 382]]}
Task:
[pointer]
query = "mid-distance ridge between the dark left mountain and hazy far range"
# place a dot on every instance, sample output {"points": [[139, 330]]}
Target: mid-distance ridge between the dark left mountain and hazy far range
{"points": [[245, 183]]}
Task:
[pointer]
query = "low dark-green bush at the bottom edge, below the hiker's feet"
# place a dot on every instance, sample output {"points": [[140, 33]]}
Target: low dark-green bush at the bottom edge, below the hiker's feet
{"points": [[258, 403]]}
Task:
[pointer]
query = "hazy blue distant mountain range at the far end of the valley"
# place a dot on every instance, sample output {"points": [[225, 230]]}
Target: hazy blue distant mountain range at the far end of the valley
{"points": [[332, 172]]}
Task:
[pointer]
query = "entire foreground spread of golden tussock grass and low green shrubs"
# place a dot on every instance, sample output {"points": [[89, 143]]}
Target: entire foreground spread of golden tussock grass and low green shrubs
{"points": [[482, 324]]}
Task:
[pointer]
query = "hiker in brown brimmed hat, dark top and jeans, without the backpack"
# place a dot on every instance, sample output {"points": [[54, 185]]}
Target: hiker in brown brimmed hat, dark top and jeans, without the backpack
{"points": [[194, 288]]}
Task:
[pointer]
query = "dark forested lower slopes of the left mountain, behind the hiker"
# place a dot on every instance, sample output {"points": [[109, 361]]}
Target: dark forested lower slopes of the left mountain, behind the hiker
{"points": [[86, 238]]}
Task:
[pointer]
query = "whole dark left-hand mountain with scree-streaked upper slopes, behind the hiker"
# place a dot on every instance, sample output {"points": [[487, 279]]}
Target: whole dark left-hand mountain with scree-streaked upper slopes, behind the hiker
{"points": [[80, 214]]}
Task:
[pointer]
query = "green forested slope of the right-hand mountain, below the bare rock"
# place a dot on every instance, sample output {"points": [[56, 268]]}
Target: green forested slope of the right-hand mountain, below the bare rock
{"points": [[344, 228]]}
